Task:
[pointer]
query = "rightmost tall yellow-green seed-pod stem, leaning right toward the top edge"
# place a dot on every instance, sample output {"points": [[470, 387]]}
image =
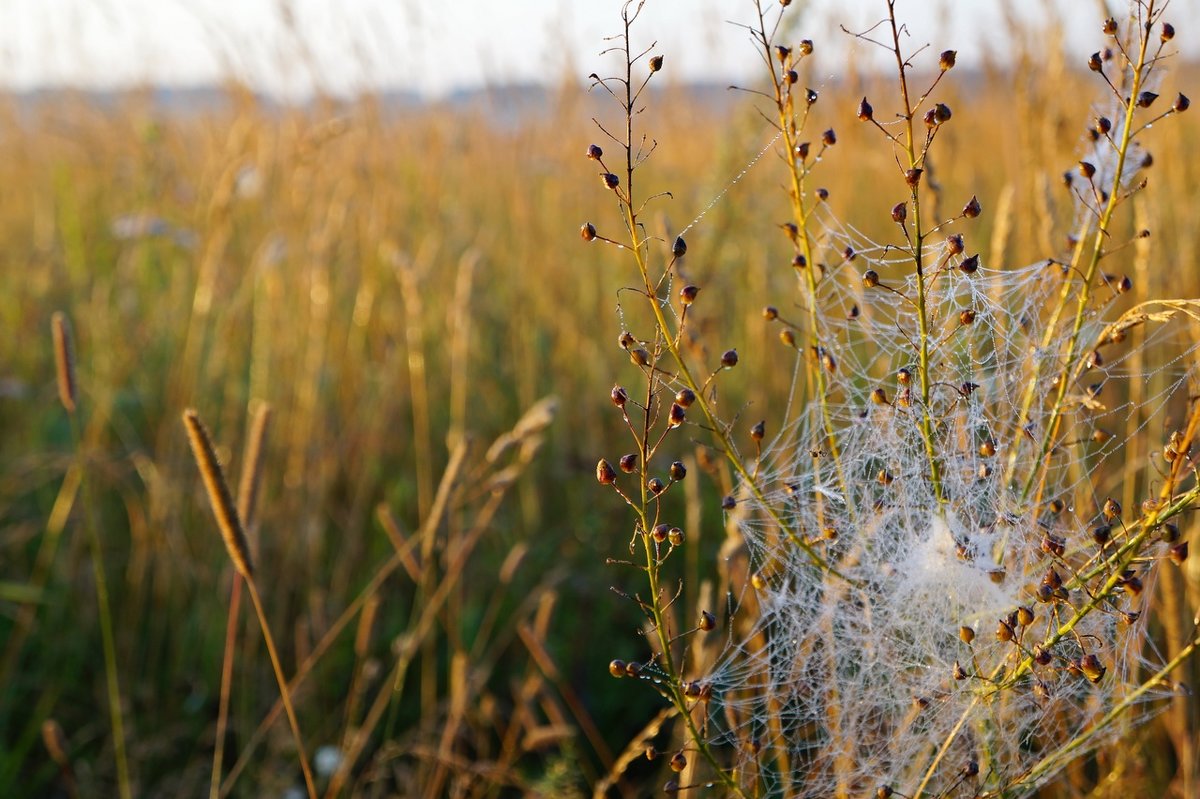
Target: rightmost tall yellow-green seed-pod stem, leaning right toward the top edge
{"points": [[1037, 476]]}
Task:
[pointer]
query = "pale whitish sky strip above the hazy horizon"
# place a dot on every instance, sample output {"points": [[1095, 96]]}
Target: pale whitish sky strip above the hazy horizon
{"points": [[290, 47]]}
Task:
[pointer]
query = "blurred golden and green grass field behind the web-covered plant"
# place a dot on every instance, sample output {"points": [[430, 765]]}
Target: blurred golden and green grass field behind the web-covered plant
{"points": [[395, 281]]}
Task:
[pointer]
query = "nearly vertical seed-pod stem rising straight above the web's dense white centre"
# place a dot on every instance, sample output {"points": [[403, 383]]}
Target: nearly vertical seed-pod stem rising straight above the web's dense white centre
{"points": [[919, 259]]}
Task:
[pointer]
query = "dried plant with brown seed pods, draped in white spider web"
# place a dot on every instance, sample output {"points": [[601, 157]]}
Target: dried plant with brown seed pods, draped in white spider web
{"points": [[940, 597]]}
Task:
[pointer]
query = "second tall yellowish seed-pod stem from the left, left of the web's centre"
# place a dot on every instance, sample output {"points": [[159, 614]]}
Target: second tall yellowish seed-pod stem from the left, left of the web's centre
{"points": [[797, 175]]}
